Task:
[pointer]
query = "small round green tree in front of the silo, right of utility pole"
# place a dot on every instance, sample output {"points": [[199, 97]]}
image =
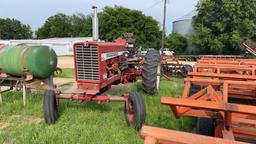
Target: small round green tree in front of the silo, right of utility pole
{"points": [[176, 42]]}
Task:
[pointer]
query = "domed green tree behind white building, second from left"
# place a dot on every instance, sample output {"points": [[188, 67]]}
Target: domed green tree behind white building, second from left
{"points": [[58, 25]]}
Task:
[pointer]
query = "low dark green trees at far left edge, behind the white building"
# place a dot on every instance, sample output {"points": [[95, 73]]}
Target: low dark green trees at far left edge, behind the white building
{"points": [[14, 29]]}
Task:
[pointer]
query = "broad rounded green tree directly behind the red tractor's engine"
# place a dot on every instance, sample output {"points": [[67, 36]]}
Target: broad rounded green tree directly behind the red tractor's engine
{"points": [[119, 20]]}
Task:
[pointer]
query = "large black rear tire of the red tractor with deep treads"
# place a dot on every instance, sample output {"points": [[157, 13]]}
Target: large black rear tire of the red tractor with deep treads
{"points": [[149, 71]]}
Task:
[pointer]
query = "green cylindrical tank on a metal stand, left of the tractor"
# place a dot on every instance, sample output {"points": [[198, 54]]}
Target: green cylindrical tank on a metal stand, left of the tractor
{"points": [[24, 67]]}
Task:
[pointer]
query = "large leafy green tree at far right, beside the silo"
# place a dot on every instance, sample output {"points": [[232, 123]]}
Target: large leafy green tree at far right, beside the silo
{"points": [[220, 25]]}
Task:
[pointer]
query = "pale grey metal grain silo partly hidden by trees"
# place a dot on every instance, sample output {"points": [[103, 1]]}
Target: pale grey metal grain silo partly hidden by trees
{"points": [[184, 27]]}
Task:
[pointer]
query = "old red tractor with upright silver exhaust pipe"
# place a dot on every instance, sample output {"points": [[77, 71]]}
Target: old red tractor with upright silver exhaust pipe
{"points": [[98, 66]]}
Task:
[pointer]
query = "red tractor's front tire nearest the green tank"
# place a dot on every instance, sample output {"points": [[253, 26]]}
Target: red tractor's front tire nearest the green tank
{"points": [[50, 107]]}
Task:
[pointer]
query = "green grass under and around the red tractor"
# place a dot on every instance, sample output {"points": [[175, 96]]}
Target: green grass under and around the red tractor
{"points": [[86, 122]]}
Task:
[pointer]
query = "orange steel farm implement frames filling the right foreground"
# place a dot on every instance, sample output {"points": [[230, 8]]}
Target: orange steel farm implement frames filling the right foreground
{"points": [[221, 95]]}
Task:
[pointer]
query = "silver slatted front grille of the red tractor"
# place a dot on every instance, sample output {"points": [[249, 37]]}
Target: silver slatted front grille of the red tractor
{"points": [[87, 63]]}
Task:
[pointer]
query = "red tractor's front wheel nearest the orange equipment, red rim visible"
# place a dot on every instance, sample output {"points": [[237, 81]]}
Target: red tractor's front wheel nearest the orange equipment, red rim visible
{"points": [[135, 110]]}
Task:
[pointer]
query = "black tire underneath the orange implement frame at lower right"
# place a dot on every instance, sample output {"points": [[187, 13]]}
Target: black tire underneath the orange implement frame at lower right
{"points": [[205, 126]]}
